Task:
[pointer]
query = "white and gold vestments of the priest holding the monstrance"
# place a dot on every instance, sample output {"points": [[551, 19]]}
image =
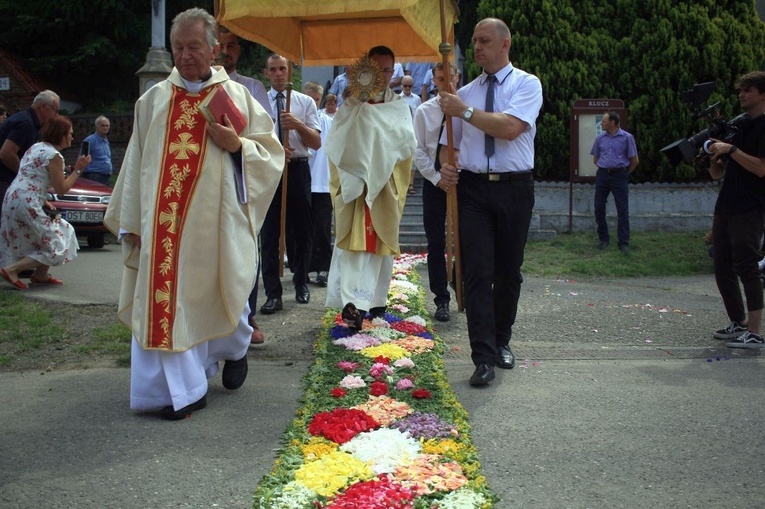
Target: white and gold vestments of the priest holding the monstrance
{"points": [[370, 150]]}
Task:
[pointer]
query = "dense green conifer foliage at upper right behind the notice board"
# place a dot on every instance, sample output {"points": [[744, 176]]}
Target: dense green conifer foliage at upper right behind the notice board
{"points": [[644, 52]]}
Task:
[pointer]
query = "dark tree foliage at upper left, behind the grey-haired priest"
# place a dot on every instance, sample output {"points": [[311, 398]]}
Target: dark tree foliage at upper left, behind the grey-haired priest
{"points": [[88, 49]]}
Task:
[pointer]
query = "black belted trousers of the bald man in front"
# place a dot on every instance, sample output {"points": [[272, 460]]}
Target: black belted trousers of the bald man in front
{"points": [[494, 218]]}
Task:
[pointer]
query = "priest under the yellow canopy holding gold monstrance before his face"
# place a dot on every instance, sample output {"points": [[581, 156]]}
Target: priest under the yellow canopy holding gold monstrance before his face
{"points": [[370, 150]]}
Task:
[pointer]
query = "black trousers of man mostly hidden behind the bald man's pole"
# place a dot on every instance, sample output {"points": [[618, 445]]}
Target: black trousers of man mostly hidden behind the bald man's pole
{"points": [[434, 220]]}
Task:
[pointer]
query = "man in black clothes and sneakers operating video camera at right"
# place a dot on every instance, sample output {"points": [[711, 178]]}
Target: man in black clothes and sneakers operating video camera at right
{"points": [[739, 215]]}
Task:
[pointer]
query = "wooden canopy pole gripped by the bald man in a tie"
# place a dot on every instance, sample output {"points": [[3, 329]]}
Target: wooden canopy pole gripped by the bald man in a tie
{"points": [[453, 251]]}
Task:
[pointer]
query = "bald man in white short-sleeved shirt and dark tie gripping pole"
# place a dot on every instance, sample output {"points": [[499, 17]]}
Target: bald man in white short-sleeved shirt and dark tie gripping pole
{"points": [[494, 120]]}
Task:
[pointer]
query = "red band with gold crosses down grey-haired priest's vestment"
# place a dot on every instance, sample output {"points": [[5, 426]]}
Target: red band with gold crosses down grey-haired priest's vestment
{"points": [[182, 160]]}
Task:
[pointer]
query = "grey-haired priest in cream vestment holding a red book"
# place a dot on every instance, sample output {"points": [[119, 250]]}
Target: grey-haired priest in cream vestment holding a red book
{"points": [[188, 203]]}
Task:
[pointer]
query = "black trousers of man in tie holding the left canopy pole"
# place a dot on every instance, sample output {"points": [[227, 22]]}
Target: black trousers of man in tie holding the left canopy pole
{"points": [[299, 230]]}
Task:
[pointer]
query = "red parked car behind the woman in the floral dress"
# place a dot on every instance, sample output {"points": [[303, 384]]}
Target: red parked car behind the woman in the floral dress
{"points": [[84, 207]]}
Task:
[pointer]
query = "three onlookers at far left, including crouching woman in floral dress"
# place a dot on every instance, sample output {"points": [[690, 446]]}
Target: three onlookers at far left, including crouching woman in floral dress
{"points": [[33, 236]]}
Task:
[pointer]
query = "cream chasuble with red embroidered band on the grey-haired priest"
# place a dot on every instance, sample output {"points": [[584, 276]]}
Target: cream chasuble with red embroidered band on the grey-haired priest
{"points": [[190, 280]]}
